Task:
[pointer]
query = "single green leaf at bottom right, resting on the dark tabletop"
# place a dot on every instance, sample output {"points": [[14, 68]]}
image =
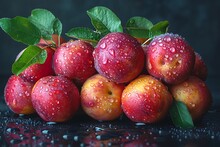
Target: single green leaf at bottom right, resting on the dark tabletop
{"points": [[180, 115]]}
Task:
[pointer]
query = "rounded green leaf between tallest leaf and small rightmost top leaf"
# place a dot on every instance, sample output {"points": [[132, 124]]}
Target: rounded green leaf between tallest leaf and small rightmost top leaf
{"points": [[139, 27]]}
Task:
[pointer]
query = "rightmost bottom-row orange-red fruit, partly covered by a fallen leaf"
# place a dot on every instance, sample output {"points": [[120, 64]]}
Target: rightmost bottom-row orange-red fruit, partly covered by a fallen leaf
{"points": [[195, 94]]}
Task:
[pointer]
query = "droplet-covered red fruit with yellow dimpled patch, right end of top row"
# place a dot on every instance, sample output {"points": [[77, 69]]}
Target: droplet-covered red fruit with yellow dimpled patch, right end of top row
{"points": [[170, 58]]}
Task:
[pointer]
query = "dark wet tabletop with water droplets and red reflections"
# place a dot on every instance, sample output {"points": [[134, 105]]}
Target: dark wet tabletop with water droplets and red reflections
{"points": [[18, 130]]}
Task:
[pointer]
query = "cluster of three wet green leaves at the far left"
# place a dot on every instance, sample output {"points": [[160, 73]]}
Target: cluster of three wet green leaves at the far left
{"points": [[41, 24]]}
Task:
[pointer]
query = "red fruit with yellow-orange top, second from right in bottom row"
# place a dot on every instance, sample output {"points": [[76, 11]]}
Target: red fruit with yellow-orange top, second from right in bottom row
{"points": [[146, 100]]}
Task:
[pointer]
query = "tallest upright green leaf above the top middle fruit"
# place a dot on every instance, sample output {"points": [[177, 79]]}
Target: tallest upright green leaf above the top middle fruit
{"points": [[104, 20]]}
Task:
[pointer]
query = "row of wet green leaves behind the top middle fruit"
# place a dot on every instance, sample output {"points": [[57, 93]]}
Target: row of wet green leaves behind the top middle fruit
{"points": [[106, 21]]}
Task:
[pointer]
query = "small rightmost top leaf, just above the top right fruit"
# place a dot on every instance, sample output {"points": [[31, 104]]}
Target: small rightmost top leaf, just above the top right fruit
{"points": [[159, 28]]}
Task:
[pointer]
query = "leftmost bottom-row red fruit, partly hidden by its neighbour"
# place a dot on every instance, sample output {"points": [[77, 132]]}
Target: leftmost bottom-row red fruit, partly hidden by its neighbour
{"points": [[18, 95]]}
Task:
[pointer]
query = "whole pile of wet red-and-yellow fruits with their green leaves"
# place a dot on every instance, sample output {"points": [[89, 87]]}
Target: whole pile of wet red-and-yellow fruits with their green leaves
{"points": [[144, 73]]}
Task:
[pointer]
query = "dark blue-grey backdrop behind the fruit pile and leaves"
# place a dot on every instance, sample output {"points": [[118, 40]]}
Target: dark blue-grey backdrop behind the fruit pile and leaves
{"points": [[197, 21]]}
